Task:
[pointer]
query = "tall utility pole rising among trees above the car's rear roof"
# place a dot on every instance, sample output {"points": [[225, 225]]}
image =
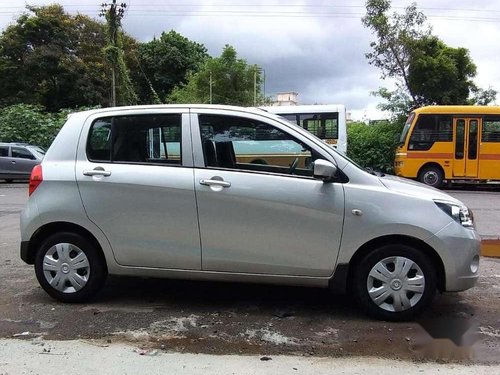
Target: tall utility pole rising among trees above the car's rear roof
{"points": [[113, 13]]}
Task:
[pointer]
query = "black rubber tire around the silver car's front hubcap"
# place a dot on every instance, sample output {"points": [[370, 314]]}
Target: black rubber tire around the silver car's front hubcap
{"points": [[418, 301]]}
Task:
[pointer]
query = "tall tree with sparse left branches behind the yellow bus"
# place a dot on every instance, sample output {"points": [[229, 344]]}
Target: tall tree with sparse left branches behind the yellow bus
{"points": [[426, 70]]}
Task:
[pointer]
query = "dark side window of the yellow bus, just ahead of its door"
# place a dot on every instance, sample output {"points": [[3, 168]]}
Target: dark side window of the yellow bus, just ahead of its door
{"points": [[430, 129]]}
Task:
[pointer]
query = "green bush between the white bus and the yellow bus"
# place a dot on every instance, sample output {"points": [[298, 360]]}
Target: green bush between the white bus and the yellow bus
{"points": [[373, 145]]}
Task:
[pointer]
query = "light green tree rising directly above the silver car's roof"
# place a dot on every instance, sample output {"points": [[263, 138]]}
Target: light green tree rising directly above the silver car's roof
{"points": [[232, 81]]}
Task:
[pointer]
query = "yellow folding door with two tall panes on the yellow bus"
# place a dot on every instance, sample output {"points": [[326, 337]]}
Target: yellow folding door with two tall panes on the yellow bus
{"points": [[466, 147]]}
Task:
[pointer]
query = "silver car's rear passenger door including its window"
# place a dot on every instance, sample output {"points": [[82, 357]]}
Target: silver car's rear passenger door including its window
{"points": [[135, 176]]}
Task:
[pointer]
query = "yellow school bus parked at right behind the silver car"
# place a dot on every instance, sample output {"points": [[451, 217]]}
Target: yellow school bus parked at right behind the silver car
{"points": [[449, 143]]}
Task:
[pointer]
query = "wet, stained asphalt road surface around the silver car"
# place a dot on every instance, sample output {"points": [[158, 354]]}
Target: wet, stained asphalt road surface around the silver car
{"points": [[202, 317]]}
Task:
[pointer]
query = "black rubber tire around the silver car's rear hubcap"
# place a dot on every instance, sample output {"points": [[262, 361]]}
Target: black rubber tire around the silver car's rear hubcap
{"points": [[95, 274]]}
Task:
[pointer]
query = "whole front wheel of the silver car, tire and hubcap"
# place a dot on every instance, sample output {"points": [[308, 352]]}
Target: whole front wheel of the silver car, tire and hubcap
{"points": [[394, 282]]}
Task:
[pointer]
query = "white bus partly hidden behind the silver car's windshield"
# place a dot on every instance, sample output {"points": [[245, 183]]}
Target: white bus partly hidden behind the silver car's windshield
{"points": [[327, 122]]}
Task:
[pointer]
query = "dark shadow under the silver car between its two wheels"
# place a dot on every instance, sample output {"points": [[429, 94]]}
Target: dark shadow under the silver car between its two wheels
{"points": [[193, 295]]}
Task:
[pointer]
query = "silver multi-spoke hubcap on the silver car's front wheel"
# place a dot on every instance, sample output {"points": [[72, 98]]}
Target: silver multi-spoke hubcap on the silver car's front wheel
{"points": [[395, 284]]}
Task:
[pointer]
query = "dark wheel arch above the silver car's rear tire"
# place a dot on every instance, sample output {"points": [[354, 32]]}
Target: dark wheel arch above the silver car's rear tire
{"points": [[49, 229]]}
